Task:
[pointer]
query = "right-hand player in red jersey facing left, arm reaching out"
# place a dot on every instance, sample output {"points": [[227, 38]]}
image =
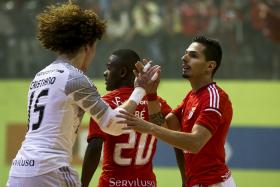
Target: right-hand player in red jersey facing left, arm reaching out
{"points": [[204, 117]]}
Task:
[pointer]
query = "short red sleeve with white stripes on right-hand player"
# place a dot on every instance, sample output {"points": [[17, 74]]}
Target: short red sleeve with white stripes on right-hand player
{"points": [[210, 114]]}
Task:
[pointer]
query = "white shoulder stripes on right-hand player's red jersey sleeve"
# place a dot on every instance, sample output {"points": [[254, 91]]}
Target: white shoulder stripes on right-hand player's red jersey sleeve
{"points": [[214, 102]]}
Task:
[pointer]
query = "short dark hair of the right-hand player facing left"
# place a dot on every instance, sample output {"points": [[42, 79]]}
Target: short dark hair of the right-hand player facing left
{"points": [[213, 50]]}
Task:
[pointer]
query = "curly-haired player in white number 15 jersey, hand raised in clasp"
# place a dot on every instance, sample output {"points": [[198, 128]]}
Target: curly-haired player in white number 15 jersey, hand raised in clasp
{"points": [[60, 94]]}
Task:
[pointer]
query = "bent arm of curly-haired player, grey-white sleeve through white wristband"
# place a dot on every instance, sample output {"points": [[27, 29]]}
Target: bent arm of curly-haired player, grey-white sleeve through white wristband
{"points": [[86, 96]]}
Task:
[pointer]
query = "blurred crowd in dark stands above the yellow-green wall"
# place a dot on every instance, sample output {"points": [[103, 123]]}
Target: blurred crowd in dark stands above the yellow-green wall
{"points": [[158, 29]]}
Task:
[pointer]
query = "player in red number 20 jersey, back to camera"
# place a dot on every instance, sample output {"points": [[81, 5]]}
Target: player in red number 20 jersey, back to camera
{"points": [[128, 157]]}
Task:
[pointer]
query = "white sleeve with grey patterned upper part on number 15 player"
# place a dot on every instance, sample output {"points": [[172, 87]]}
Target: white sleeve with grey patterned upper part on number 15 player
{"points": [[86, 96]]}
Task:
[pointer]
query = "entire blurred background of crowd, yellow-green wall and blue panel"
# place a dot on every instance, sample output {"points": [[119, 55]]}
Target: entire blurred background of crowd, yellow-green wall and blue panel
{"points": [[249, 31]]}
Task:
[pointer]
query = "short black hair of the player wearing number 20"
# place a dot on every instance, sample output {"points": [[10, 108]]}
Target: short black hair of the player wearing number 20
{"points": [[127, 57]]}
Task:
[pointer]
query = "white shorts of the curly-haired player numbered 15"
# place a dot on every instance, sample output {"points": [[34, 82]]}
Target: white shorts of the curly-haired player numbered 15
{"points": [[62, 177]]}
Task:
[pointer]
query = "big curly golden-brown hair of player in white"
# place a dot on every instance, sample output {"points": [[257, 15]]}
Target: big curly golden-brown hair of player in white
{"points": [[65, 28]]}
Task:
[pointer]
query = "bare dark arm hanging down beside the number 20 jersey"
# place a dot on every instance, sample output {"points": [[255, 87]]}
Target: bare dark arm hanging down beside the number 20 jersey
{"points": [[91, 160]]}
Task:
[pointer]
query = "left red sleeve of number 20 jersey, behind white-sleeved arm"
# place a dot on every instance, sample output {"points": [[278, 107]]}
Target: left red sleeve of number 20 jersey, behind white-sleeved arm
{"points": [[94, 129]]}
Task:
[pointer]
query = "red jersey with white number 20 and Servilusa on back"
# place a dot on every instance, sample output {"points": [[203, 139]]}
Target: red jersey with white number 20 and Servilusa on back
{"points": [[128, 157]]}
